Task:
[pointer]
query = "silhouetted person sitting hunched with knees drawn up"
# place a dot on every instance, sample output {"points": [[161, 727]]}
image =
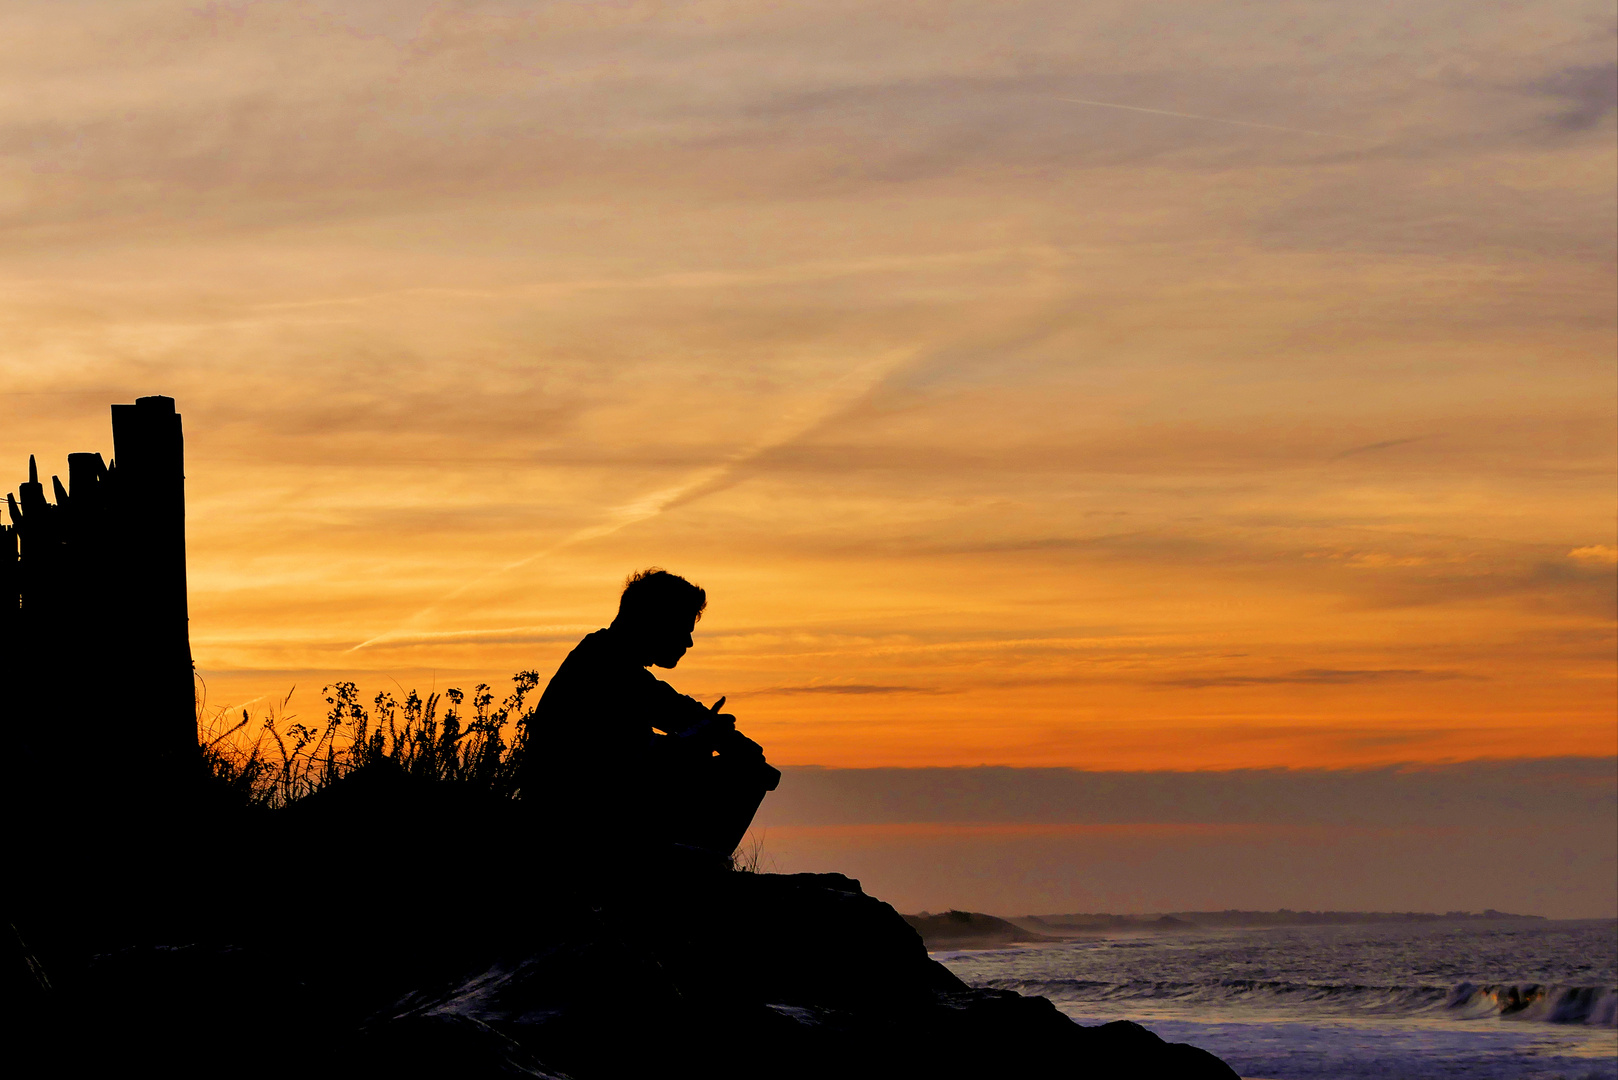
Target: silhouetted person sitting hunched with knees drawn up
{"points": [[608, 784]]}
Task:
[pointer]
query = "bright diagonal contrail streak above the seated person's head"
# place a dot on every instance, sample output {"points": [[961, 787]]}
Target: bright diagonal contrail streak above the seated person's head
{"points": [[845, 389]]}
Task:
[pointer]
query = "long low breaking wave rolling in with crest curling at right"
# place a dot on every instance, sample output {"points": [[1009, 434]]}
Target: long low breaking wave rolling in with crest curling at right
{"points": [[1591, 1006]]}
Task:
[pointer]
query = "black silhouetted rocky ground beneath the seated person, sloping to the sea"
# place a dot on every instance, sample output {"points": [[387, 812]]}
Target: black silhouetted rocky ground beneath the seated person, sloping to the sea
{"points": [[396, 927]]}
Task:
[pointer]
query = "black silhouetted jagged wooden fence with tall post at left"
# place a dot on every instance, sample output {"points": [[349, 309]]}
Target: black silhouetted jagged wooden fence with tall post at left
{"points": [[95, 642]]}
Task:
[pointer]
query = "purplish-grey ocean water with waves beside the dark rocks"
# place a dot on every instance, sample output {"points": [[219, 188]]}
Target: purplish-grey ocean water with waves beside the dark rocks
{"points": [[1399, 1001]]}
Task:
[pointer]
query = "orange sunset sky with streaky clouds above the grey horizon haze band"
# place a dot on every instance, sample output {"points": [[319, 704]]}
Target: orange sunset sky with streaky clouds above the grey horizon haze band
{"points": [[1002, 427]]}
